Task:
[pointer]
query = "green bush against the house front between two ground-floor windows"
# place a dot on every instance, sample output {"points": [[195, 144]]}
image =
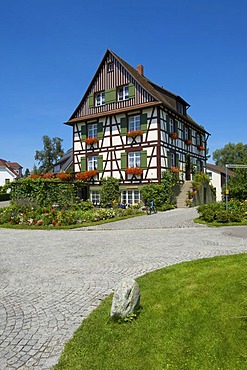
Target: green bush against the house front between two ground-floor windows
{"points": [[109, 191]]}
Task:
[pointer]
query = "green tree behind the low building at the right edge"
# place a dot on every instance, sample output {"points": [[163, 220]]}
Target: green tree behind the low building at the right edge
{"points": [[231, 153]]}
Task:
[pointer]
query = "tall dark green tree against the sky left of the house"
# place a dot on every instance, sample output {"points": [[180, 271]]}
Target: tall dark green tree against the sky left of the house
{"points": [[51, 153]]}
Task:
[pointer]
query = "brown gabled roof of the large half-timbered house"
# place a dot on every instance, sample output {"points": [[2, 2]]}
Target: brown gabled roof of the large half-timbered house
{"points": [[161, 95]]}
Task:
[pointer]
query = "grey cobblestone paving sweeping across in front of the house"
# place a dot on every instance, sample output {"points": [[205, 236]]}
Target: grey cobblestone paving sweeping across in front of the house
{"points": [[51, 280]]}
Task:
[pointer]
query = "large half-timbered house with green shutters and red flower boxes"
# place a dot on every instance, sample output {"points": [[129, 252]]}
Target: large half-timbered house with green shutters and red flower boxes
{"points": [[128, 127]]}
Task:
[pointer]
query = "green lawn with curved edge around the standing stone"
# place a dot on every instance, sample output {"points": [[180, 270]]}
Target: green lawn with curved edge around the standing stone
{"points": [[193, 317]]}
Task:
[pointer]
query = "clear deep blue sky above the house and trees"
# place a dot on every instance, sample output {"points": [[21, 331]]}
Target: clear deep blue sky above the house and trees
{"points": [[50, 50]]}
